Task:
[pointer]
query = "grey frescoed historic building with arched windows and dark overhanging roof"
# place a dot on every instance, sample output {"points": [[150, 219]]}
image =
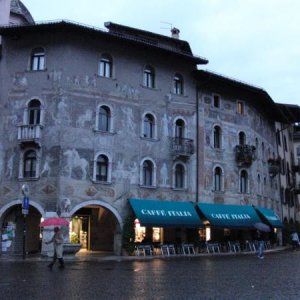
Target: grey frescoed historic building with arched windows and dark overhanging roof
{"points": [[91, 118]]}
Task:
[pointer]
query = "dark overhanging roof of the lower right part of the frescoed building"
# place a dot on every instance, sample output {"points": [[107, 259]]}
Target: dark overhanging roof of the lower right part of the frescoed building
{"points": [[255, 96]]}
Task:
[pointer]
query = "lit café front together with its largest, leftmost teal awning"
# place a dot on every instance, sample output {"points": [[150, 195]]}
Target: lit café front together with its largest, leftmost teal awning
{"points": [[165, 222]]}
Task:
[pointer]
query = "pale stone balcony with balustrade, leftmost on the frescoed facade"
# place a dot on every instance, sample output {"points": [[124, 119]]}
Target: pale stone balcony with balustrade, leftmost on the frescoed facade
{"points": [[30, 135]]}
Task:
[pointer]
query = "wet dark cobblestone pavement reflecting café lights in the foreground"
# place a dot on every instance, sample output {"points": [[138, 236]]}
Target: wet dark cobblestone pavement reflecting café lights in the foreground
{"points": [[208, 277]]}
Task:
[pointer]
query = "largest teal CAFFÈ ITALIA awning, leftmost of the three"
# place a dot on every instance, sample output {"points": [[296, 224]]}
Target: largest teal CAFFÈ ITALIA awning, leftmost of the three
{"points": [[165, 213]]}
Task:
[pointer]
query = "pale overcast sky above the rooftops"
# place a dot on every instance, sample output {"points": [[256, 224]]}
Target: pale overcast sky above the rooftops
{"points": [[253, 41]]}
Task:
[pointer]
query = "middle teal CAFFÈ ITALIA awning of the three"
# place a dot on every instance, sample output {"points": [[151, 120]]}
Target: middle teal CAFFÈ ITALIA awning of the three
{"points": [[229, 216]]}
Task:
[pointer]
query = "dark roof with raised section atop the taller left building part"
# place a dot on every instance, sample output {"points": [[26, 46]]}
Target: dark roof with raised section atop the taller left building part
{"points": [[115, 31]]}
